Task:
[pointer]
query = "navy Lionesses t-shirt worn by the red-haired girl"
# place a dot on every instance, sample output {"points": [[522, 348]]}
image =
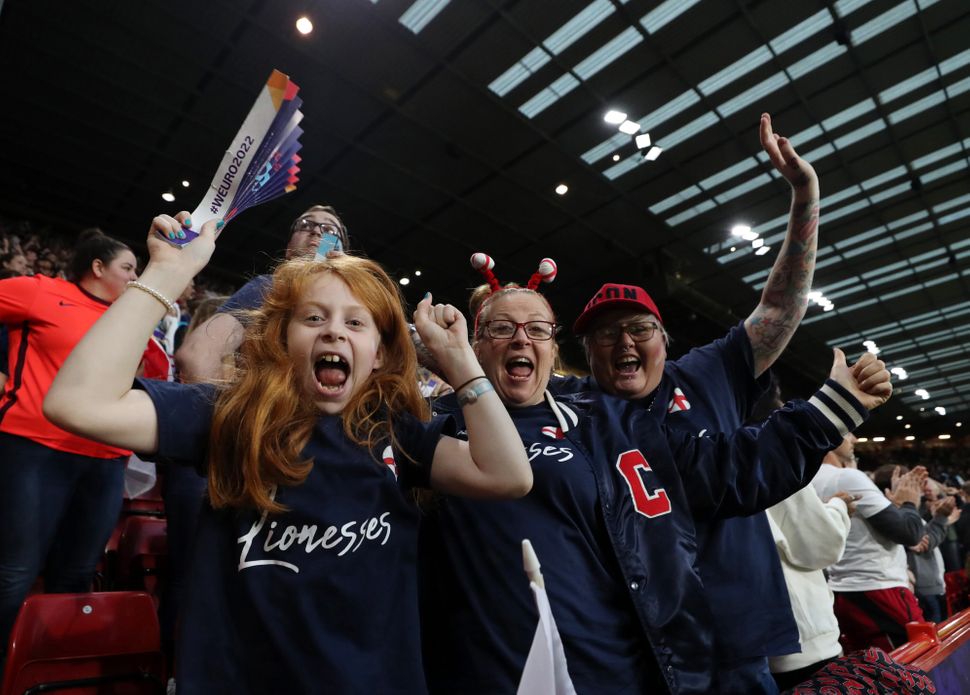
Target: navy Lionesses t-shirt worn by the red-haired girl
{"points": [[321, 598]]}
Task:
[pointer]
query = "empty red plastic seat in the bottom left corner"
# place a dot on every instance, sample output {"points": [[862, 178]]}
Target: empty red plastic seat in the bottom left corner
{"points": [[85, 644]]}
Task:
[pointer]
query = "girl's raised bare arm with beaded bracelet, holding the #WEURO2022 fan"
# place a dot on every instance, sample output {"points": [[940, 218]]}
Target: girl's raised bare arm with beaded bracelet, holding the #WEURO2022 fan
{"points": [[92, 394]]}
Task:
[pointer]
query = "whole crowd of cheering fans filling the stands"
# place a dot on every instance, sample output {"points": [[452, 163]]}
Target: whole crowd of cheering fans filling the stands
{"points": [[332, 530]]}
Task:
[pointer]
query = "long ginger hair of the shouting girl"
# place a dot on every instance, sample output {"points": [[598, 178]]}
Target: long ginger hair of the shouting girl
{"points": [[262, 420]]}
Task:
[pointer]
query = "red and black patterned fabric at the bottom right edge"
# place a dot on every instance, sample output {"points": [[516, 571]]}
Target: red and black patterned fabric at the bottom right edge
{"points": [[865, 672]]}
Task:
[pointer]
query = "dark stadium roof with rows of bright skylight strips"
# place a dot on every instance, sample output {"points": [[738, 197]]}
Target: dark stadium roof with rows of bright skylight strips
{"points": [[437, 141]]}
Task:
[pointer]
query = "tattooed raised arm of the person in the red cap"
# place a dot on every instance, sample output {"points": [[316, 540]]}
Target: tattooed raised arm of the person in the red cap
{"points": [[785, 296]]}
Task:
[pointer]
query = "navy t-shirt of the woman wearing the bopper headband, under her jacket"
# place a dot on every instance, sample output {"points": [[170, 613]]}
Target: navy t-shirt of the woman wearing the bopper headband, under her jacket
{"points": [[473, 556]]}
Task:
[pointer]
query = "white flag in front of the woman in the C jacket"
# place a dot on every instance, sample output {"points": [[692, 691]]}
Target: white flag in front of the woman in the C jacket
{"points": [[545, 671]]}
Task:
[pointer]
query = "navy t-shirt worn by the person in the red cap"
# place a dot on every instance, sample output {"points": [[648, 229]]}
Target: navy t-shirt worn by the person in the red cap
{"points": [[712, 389]]}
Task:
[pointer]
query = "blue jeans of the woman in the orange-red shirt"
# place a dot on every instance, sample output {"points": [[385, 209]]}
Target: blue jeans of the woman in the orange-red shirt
{"points": [[57, 511]]}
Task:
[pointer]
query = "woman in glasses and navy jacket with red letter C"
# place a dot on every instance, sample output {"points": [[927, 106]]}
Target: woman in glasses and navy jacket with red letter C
{"points": [[608, 516]]}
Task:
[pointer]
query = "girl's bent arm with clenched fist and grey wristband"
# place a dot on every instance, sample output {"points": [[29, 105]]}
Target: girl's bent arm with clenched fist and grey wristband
{"points": [[492, 463]]}
